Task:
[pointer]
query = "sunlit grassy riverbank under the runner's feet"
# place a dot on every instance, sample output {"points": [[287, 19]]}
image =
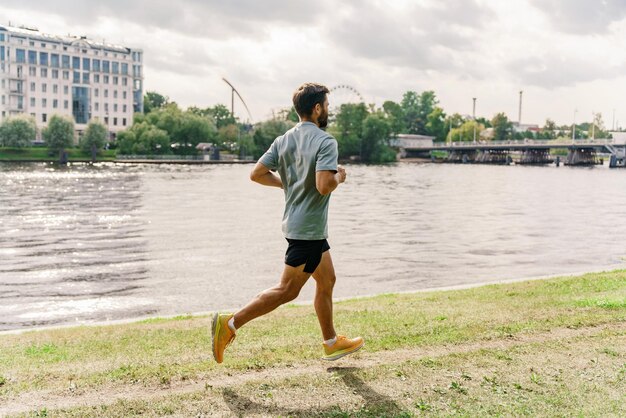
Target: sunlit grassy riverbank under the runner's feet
{"points": [[537, 348]]}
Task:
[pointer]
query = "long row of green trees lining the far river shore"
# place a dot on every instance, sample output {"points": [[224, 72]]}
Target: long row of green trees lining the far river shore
{"points": [[363, 131]]}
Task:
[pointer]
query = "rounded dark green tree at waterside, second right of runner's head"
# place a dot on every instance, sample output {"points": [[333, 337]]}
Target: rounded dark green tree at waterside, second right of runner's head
{"points": [[376, 133]]}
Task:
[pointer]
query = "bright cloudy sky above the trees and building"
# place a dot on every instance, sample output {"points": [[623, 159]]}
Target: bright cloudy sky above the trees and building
{"points": [[567, 56]]}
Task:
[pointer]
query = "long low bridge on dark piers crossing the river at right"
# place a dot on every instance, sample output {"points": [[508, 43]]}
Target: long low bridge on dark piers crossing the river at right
{"points": [[579, 152]]}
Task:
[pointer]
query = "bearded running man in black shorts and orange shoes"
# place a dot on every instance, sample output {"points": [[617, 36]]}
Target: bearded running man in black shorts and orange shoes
{"points": [[306, 160]]}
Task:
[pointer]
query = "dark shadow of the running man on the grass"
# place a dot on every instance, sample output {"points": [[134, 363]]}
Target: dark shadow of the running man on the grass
{"points": [[376, 404]]}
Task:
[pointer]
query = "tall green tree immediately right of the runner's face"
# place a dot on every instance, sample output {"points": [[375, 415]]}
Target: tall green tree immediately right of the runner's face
{"points": [[347, 128]]}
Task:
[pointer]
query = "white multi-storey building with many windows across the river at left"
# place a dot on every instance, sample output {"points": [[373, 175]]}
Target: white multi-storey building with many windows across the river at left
{"points": [[42, 75]]}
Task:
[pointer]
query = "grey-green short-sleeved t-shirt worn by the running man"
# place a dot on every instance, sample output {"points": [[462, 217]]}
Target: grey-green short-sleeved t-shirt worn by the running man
{"points": [[297, 156]]}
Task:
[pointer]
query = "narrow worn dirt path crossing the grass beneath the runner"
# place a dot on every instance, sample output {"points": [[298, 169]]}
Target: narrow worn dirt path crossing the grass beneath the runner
{"points": [[108, 395]]}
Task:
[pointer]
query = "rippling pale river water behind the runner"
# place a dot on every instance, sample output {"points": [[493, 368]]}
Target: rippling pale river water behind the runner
{"points": [[93, 243]]}
